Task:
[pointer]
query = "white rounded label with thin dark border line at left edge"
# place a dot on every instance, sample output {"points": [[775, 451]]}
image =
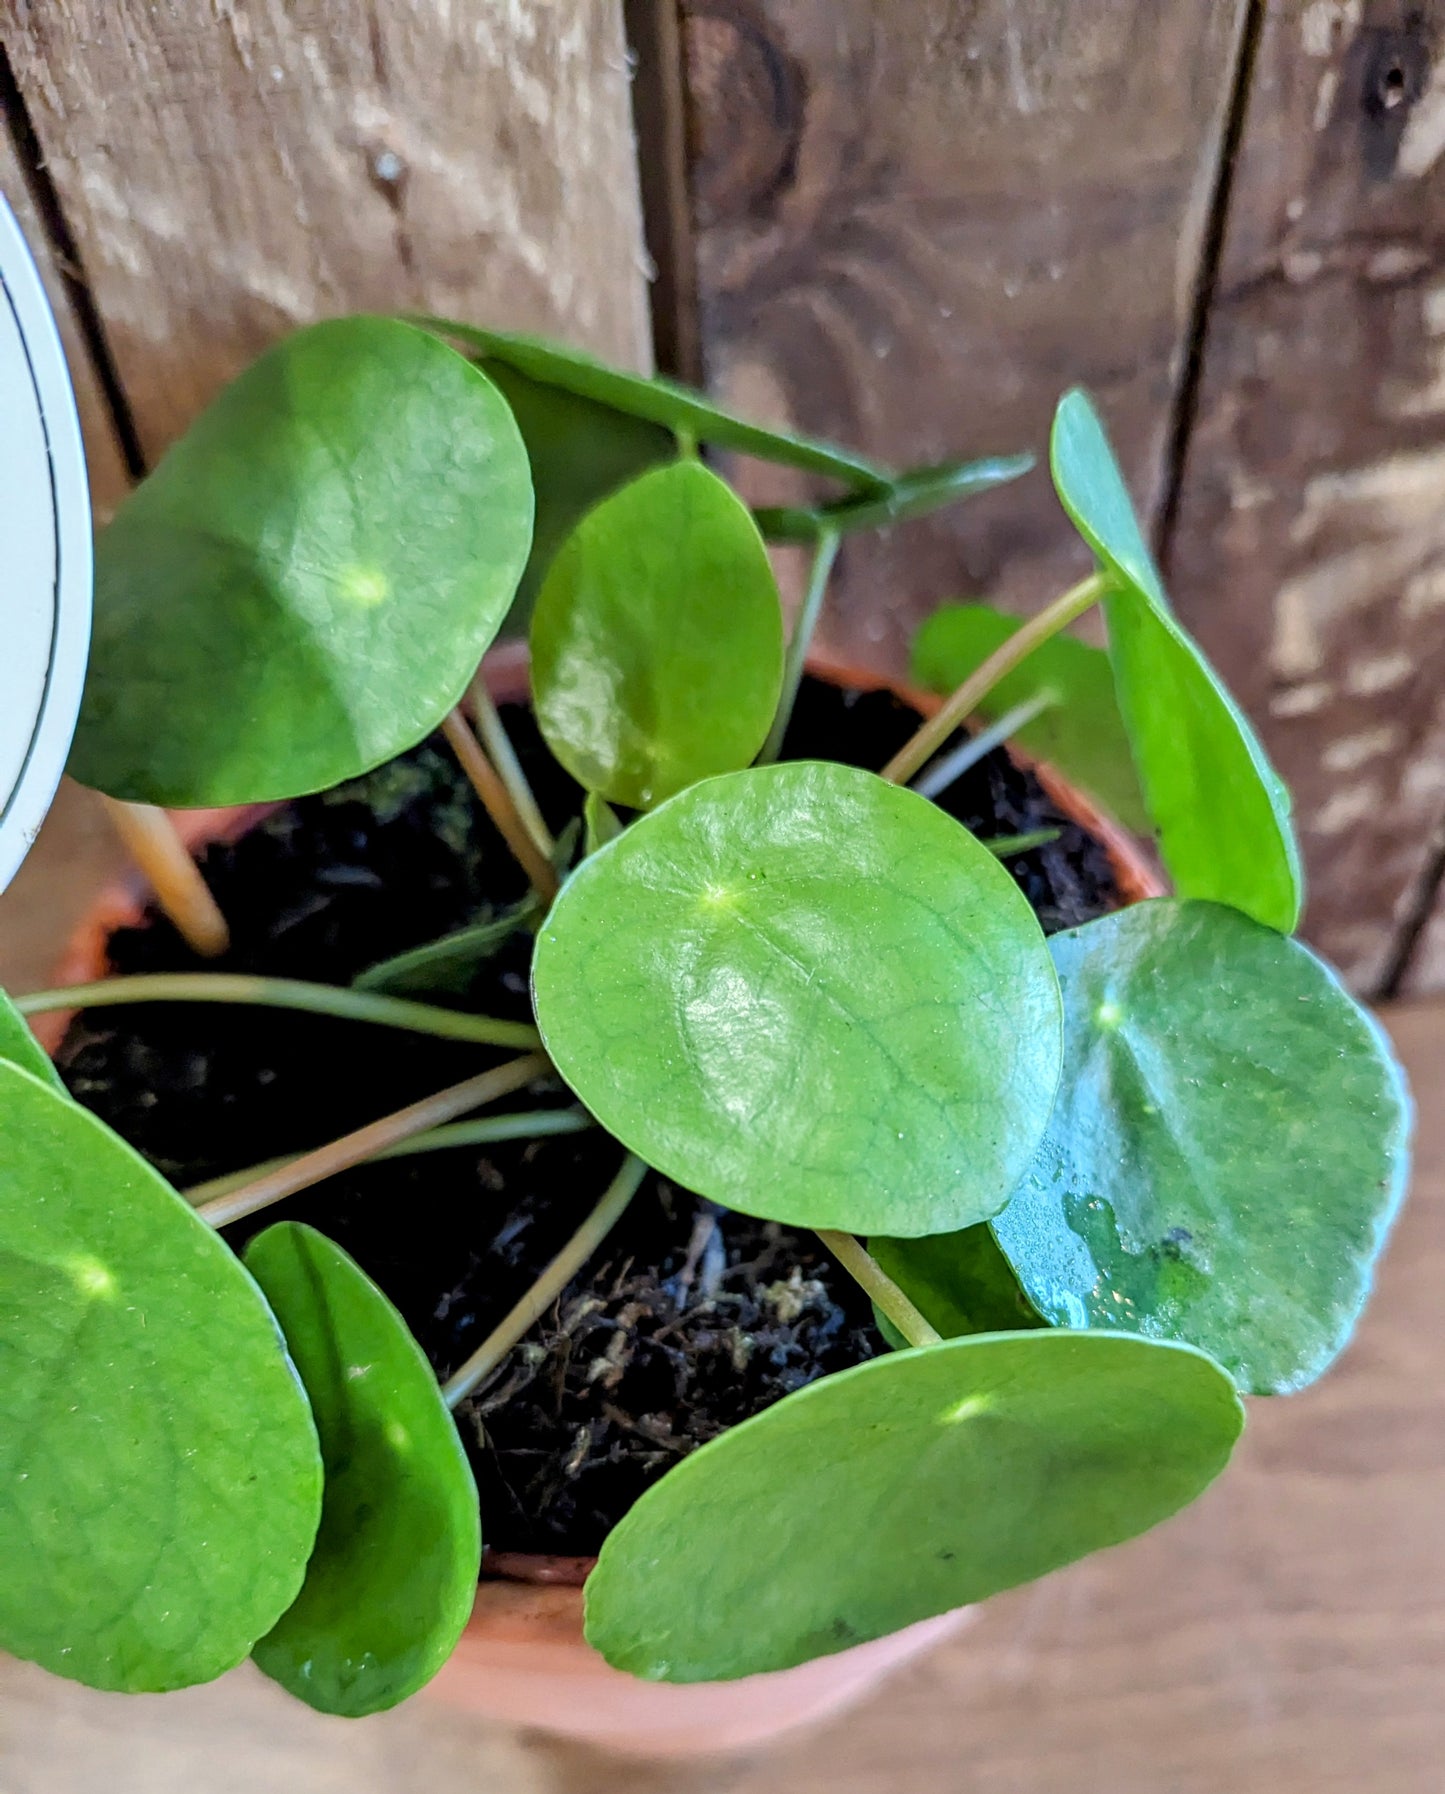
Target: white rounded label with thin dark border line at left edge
{"points": [[44, 553]]}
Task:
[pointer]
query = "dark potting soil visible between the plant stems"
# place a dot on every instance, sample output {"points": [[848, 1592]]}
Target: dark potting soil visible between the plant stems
{"points": [[692, 1318]]}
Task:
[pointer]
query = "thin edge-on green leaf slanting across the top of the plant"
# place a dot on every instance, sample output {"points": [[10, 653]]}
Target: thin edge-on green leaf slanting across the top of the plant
{"points": [[660, 401]]}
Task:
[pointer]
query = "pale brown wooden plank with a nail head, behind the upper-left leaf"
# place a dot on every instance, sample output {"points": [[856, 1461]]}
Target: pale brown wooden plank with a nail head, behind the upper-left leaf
{"points": [[236, 170]]}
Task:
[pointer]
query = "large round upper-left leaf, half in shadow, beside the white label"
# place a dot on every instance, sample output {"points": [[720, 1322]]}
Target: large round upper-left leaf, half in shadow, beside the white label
{"points": [[306, 584]]}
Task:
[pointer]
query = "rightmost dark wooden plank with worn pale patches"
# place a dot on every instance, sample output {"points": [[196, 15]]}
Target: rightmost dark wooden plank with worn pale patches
{"points": [[1309, 553]]}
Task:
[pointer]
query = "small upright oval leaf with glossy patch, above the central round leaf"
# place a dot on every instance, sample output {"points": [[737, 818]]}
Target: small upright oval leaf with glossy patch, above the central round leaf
{"points": [[658, 640]]}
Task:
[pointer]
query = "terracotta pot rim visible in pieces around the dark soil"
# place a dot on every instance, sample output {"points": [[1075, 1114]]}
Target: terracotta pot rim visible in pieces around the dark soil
{"points": [[121, 905]]}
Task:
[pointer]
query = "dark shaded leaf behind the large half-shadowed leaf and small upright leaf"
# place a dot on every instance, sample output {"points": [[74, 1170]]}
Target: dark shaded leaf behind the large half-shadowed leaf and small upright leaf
{"points": [[579, 453]]}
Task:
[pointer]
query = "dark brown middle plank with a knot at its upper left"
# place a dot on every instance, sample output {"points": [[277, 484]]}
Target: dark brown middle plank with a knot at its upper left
{"points": [[920, 223]]}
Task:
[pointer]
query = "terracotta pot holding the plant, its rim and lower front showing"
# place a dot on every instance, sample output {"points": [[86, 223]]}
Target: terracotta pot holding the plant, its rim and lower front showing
{"points": [[523, 1657]]}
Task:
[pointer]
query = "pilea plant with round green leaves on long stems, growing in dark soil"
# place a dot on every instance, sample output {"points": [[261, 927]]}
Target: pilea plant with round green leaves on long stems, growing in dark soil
{"points": [[769, 1018]]}
